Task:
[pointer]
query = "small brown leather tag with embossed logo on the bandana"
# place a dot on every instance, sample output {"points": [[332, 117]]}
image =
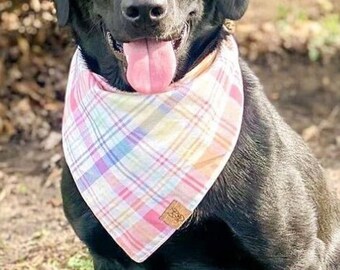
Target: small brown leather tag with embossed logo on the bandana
{"points": [[175, 215]]}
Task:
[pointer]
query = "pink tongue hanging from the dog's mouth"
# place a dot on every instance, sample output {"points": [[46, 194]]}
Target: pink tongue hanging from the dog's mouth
{"points": [[151, 65]]}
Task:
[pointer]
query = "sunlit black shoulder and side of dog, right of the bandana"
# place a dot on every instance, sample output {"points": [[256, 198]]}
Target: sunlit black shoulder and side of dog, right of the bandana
{"points": [[272, 193]]}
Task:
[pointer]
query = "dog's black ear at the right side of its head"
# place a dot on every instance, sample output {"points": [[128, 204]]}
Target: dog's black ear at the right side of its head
{"points": [[232, 9]]}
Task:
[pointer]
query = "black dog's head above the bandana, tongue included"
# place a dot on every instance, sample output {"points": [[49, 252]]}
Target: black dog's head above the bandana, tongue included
{"points": [[145, 44]]}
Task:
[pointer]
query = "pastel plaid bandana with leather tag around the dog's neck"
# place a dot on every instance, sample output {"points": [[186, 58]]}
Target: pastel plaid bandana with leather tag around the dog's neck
{"points": [[143, 163]]}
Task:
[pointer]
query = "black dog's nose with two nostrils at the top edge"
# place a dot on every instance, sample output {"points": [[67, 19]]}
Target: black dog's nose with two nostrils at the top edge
{"points": [[144, 10]]}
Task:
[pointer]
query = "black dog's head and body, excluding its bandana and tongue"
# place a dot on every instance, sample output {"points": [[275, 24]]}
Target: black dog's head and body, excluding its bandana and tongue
{"points": [[269, 208]]}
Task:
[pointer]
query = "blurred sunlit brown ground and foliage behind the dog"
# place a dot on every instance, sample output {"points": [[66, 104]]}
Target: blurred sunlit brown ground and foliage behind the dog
{"points": [[293, 46]]}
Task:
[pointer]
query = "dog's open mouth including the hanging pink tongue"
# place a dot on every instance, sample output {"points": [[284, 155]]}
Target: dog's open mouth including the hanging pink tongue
{"points": [[150, 62]]}
